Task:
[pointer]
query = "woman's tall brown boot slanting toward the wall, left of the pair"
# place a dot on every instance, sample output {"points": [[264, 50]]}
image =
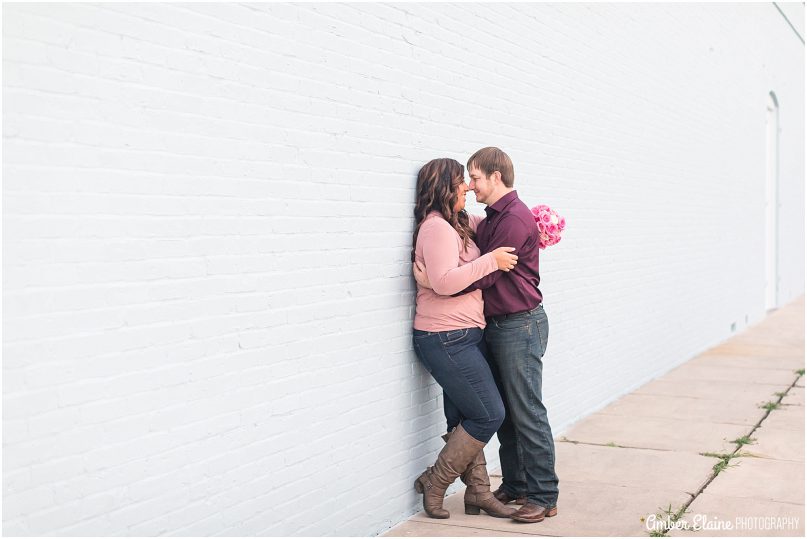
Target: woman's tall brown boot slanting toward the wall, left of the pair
{"points": [[460, 449]]}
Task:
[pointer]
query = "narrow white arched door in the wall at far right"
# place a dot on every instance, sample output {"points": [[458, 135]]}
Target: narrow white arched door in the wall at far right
{"points": [[772, 204]]}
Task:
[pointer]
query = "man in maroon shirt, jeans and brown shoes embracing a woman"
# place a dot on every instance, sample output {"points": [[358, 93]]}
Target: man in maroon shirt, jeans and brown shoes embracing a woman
{"points": [[516, 336]]}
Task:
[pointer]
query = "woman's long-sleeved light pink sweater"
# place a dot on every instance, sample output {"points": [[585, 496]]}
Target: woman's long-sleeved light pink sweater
{"points": [[450, 269]]}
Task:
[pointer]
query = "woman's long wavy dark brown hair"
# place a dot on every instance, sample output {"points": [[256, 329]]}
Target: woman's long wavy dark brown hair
{"points": [[435, 191]]}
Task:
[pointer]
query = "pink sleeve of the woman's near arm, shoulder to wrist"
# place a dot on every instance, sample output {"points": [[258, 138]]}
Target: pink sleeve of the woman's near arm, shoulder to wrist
{"points": [[441, 256]]}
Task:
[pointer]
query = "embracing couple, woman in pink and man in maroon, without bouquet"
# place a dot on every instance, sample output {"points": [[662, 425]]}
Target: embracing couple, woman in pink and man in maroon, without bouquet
{"points": [[481, 331]]}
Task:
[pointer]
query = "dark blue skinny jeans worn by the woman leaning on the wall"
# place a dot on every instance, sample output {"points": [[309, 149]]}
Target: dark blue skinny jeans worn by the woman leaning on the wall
{"points": [[457, 360]]}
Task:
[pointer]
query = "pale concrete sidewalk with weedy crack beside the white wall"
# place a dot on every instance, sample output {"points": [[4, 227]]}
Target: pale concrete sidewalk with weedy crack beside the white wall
{"points": [[717, 439]]}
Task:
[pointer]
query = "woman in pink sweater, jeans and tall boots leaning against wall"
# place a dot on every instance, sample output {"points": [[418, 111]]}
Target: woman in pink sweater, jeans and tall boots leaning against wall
{"points": [[448, 337]]}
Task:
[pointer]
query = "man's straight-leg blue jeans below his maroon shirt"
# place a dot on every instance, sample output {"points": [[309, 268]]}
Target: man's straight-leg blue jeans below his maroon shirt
{"points": [[517, 343]]}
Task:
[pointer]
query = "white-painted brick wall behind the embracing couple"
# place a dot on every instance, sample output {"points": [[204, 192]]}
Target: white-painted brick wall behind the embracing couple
{"points": [[207, 223]]}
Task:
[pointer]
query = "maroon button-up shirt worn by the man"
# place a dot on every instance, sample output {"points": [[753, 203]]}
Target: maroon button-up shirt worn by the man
{"points": [[510, 223]]}
